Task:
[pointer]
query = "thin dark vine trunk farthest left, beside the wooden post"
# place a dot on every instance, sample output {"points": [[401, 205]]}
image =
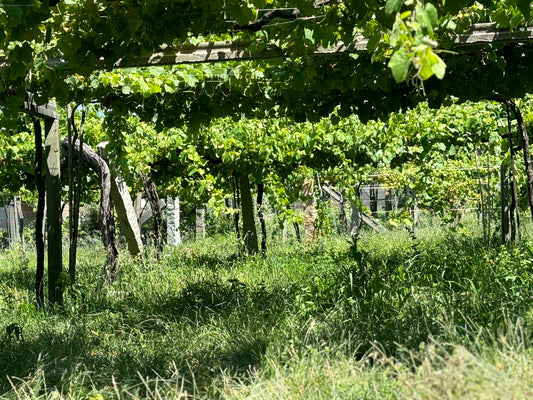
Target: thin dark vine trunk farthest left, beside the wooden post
{"points": [[39, 220]]}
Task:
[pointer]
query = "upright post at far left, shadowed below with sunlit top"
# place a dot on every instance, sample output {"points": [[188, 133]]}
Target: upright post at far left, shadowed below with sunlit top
{"points": [[53, 210]]}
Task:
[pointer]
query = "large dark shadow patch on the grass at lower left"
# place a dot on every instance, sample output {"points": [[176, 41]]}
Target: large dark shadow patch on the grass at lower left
{"points": [[206, 328]]}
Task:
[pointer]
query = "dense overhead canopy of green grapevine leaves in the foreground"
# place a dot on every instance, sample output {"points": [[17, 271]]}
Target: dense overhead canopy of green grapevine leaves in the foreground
{"points": [[405, 41]]}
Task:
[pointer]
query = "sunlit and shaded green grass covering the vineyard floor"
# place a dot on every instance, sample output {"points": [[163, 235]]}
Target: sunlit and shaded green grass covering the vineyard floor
{"points": [[445, 316]]}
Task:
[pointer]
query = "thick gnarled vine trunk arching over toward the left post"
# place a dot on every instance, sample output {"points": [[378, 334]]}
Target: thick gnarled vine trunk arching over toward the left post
{"points": [[91, 160]]}
